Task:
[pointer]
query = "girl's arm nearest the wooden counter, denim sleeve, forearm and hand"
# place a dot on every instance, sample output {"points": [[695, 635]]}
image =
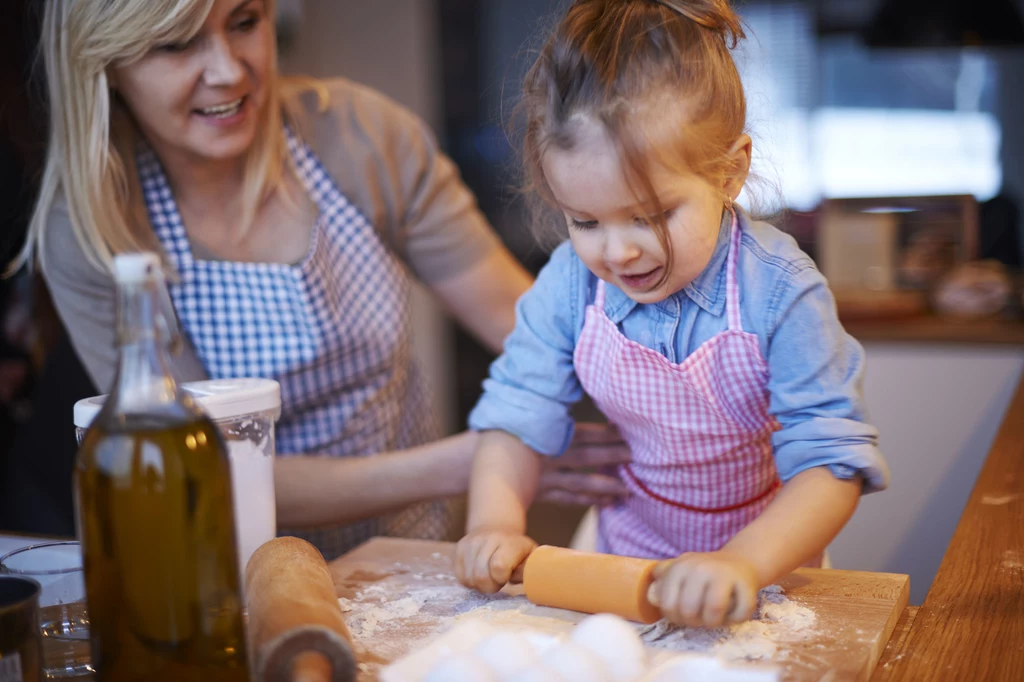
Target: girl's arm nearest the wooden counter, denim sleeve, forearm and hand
{"points": [[826, 450]]}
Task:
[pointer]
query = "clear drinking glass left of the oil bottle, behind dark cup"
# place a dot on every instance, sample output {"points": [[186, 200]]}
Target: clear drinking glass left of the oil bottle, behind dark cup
{"points": [[65, 625]]}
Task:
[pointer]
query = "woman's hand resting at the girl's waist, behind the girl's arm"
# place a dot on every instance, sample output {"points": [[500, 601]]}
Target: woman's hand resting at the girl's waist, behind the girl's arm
{"points": [[586, 474]]}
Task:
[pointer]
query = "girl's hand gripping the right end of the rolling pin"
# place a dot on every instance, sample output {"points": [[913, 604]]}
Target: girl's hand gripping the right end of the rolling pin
{"points": [[706, 590]]}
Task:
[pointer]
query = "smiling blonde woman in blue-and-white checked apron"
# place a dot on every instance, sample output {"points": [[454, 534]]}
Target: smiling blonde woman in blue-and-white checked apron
{"points": [[293, 217]]}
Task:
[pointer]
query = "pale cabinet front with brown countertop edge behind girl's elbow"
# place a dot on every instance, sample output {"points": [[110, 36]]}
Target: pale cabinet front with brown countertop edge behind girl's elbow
{"points": [[937, 392]]}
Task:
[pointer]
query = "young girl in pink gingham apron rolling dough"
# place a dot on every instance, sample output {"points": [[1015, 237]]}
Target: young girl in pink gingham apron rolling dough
{"points": [[709, 339]]}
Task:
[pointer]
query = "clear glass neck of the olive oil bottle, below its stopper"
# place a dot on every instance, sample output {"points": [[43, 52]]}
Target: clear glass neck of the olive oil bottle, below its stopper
{"points": [[145, 382]]}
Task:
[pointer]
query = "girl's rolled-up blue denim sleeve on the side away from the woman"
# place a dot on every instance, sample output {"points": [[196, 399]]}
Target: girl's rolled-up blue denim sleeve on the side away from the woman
{"points": [[817, 370]]}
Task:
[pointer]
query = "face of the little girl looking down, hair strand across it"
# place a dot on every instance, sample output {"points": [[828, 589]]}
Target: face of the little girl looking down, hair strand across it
{"points": [[611, 231]]}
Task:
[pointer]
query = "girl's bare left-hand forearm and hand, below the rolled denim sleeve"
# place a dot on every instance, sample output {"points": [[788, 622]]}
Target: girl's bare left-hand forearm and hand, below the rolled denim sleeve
{"points": [[503, 486]]}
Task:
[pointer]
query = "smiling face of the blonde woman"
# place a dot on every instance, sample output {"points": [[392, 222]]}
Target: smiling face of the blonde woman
{"points": [[201, 101]]}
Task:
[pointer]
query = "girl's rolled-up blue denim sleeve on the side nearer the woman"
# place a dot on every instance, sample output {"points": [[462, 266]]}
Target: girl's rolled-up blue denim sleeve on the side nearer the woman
{"points": [[533, 386]]}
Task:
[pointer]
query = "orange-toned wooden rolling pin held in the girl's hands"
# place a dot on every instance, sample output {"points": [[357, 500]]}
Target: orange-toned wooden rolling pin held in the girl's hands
{"points": [[590, 583]]}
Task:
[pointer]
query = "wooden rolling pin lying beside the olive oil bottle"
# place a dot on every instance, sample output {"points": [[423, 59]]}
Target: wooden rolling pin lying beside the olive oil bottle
{"points": [[296, 629]]}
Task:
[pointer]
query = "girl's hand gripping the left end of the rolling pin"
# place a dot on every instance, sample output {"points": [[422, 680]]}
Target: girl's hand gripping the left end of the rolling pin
{"points": [[486, 560]]}
